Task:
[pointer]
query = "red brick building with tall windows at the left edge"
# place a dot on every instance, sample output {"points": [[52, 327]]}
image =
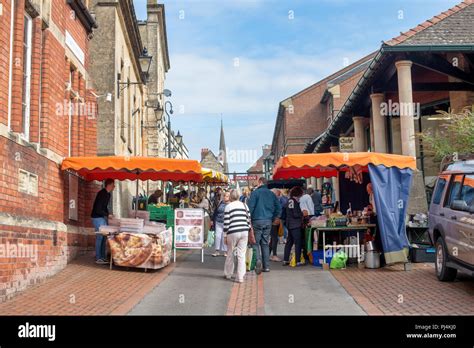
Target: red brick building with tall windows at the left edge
{"points": [[47, 112]]}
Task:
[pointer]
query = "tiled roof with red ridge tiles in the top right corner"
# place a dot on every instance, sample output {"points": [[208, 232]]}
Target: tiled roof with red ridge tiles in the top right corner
{"points": [[452, 27]]}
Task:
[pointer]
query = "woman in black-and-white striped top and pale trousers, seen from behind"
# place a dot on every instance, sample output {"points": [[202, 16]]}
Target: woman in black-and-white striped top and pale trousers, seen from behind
{"points": [[236, 231]]}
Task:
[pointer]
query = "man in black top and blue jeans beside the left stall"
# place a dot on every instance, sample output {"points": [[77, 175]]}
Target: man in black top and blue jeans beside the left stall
{"points": [[100, 215]]}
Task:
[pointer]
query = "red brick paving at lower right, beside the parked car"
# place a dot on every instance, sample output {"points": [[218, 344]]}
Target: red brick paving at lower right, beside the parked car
{"points": [[393, 291]]}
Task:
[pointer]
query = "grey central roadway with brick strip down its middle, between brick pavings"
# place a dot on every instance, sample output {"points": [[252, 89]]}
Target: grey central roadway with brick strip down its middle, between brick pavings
{"points": [[283, 291]]}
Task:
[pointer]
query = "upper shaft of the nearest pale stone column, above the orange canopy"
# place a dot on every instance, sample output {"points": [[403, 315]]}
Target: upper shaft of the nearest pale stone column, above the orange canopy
{"points": [[405, 98]]}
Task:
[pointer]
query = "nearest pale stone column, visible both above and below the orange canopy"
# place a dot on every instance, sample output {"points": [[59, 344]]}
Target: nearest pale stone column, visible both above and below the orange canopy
{"points": [[417, 202]]}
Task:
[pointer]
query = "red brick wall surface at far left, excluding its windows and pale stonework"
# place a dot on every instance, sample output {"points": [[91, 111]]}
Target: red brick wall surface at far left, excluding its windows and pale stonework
{"points": [[27, 219]]}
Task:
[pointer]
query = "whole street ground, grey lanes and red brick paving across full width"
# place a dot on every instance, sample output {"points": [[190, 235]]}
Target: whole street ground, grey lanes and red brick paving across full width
{"points": [[189, 287]]}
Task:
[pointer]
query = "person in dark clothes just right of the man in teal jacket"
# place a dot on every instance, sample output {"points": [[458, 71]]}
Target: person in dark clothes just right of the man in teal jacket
{"points": [[294, 222]]}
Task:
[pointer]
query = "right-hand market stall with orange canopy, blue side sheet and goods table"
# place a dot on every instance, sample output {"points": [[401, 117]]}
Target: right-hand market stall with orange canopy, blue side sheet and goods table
{"points": [[390, 177]]}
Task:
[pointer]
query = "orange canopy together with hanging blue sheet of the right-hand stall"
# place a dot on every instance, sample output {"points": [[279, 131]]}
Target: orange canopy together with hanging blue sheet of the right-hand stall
{"points": [[390, 176]]}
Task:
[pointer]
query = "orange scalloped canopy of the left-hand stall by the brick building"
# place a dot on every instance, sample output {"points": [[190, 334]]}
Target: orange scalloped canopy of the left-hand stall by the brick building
{"points": [[134, 168]]}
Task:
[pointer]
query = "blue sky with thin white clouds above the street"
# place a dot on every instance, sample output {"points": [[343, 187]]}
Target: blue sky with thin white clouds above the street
{"points": [[237, 59]]}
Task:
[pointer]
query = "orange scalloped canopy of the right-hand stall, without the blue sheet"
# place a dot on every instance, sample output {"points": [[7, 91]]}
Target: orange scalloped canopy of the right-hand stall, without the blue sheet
{"points": [[328, 164]]}
